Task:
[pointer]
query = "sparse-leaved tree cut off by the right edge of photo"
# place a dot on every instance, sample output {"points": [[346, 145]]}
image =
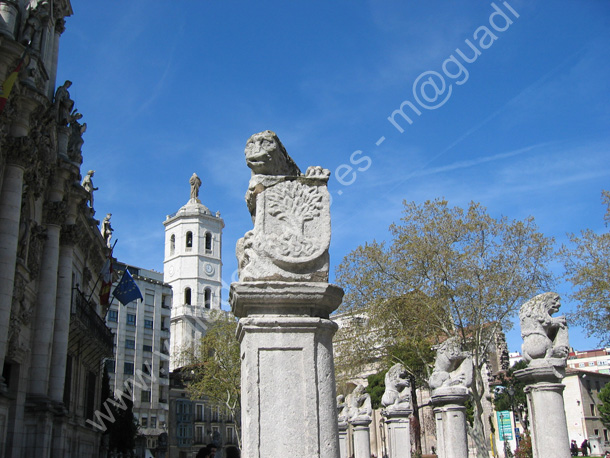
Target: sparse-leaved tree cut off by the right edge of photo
{"points": [[587, 265]]}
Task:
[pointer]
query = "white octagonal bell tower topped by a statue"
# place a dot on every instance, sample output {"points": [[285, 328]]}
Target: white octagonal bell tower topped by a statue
{"points": [[192, 266]]}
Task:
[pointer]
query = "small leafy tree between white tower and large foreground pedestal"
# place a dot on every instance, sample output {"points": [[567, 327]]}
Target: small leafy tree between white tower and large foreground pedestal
{"points": [[215, 367]]}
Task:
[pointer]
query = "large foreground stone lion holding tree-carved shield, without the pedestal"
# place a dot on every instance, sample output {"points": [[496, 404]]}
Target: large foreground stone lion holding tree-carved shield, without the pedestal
{"points": [[291, 216]]}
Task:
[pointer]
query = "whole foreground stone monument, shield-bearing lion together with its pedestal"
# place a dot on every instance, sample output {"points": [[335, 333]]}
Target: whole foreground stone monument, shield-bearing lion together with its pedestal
{"points": [[284, 300]]}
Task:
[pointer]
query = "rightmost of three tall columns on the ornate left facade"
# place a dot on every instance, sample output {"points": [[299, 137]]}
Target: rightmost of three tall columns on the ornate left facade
{"points": [[62, 313]]}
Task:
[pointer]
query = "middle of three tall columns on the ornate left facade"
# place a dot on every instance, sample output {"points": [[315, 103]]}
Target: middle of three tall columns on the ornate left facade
{"points": [[46, 302]]}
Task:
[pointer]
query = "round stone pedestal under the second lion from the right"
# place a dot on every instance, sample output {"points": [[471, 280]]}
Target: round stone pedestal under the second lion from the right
{"points": [[450, 416]]}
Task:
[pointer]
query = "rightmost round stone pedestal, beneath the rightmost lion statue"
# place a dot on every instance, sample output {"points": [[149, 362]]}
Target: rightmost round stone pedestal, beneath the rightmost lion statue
{"points": [[547, 415]]}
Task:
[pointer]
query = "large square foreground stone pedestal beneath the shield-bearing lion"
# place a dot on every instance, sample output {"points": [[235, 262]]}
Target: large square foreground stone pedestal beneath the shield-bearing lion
{"points": [[287, 379]]}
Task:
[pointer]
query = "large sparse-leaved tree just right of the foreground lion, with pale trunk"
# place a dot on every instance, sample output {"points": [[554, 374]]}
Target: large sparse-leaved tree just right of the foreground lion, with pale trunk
{"points": [[448, 271]]}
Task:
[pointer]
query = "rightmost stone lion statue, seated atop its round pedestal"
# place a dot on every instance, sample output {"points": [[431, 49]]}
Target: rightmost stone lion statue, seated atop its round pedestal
{"points": [[545, 338]]}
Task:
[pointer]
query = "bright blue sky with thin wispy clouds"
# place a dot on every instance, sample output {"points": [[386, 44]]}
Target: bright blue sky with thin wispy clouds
{"points": [[168, 88]]}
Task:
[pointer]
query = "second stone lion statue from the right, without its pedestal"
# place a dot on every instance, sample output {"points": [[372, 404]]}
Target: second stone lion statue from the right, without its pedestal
{"points": [[452, 367]]}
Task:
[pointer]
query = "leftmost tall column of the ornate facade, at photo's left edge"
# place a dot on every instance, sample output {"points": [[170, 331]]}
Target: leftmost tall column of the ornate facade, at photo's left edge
{"points": [[10, 213]]}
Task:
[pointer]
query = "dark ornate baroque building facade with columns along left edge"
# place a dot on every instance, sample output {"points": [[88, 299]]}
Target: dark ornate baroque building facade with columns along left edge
{"points": [[52, 335]]}
